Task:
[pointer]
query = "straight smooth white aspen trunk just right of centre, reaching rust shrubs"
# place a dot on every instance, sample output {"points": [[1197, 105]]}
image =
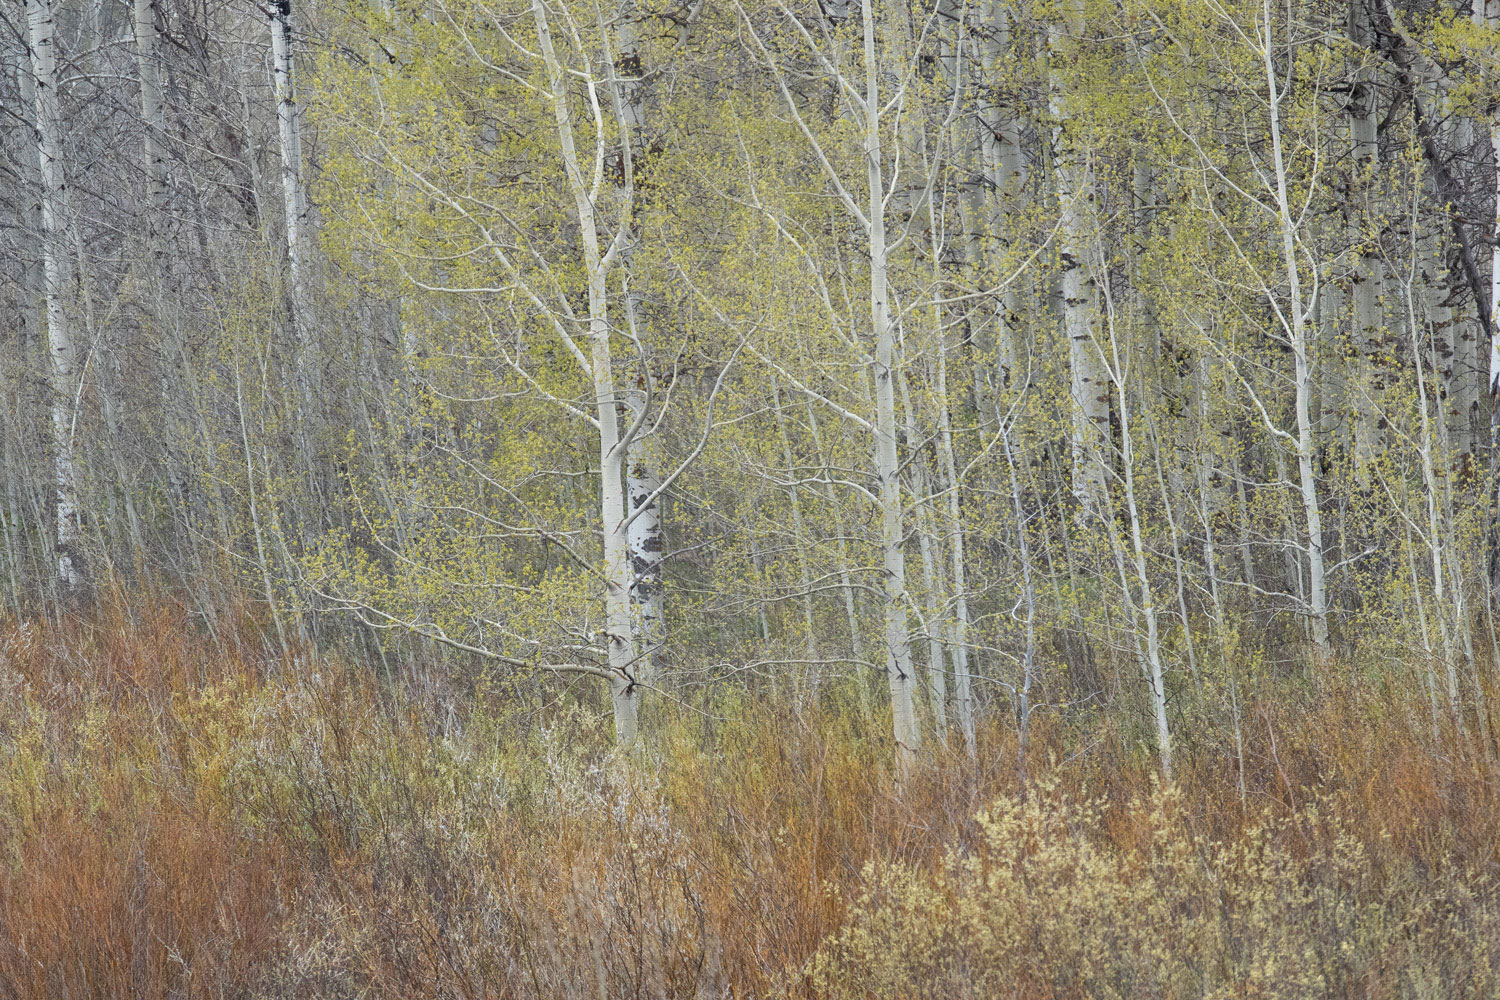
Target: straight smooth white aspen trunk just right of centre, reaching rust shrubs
{"points": [[887, 463]]}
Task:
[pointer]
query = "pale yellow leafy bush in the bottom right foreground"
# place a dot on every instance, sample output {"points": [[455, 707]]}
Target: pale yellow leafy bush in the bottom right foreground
{"points": [[1049, 906]]}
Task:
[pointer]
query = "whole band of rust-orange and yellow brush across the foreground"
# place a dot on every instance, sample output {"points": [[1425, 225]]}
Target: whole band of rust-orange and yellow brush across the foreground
{"points": [[184, 818]]}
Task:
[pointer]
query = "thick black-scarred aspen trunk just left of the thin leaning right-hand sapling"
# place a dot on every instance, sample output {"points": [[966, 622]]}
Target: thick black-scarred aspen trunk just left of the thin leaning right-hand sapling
{"points": [[1090, 392]]}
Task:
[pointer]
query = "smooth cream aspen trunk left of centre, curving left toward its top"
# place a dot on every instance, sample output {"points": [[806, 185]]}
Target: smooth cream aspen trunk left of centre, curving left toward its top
{"points": [[625, 681]]}
